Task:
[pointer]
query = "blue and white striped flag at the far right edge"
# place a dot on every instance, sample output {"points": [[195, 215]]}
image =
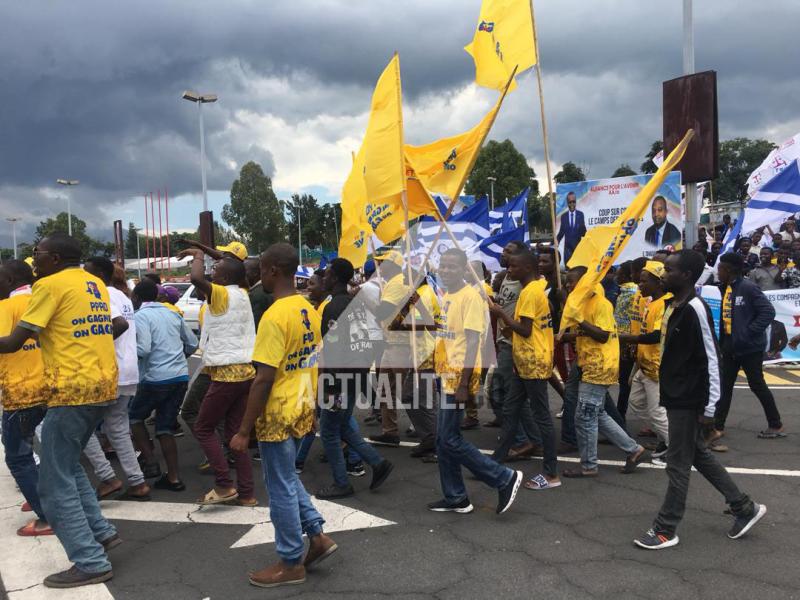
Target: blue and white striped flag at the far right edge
{"points": [[775, 201]]}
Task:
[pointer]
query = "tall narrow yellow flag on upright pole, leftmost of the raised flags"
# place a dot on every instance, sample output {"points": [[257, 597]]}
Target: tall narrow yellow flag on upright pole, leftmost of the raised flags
{"points": [[384, 167]]}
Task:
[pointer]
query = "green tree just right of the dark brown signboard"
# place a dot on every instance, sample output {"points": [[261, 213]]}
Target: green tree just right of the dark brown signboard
{"points": [[738, 158]]}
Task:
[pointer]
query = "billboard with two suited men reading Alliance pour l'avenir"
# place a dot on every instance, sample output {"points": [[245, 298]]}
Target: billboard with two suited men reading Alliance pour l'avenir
{"points": [[582, 205]]}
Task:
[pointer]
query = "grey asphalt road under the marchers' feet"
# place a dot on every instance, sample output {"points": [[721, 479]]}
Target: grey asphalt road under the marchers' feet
{"points": [[571, 542]]}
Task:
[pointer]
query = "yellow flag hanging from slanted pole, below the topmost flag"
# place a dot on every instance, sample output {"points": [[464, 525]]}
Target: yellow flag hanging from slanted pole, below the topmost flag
{"points": [[443, 166]]}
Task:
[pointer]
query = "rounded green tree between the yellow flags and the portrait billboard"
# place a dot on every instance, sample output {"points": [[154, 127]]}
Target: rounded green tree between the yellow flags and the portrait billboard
{"points": [[507, 164]]}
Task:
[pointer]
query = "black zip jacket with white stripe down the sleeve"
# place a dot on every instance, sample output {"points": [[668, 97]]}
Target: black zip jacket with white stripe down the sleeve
{"points": [[689, 377]]}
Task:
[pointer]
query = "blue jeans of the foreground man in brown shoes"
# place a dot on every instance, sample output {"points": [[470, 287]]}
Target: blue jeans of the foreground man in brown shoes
{"points": [[290, 508]]}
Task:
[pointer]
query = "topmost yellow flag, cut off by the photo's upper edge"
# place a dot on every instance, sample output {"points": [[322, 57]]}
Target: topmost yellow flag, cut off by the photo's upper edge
{"points": [[503, 40]]}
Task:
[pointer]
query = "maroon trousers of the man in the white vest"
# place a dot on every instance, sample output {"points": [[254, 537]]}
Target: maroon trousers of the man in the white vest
{"points": [[225, 402]]}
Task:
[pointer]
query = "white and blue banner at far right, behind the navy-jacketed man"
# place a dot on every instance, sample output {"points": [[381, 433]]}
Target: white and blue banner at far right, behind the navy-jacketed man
{"points": [[785, 326]]}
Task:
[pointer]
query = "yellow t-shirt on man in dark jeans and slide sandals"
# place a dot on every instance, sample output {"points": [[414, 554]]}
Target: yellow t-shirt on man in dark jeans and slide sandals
{"points": [[533, 356]]}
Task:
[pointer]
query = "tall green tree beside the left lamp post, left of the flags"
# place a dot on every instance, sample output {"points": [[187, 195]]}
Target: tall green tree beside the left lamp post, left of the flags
{"points": [[254, 212]]}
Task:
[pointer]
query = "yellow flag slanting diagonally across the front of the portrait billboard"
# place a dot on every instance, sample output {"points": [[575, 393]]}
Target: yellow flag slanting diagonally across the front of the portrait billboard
{"points": [[603, 247]]}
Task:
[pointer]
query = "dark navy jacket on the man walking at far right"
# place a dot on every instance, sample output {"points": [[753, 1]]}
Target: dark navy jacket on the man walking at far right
{"points": [[752, 314]]}
